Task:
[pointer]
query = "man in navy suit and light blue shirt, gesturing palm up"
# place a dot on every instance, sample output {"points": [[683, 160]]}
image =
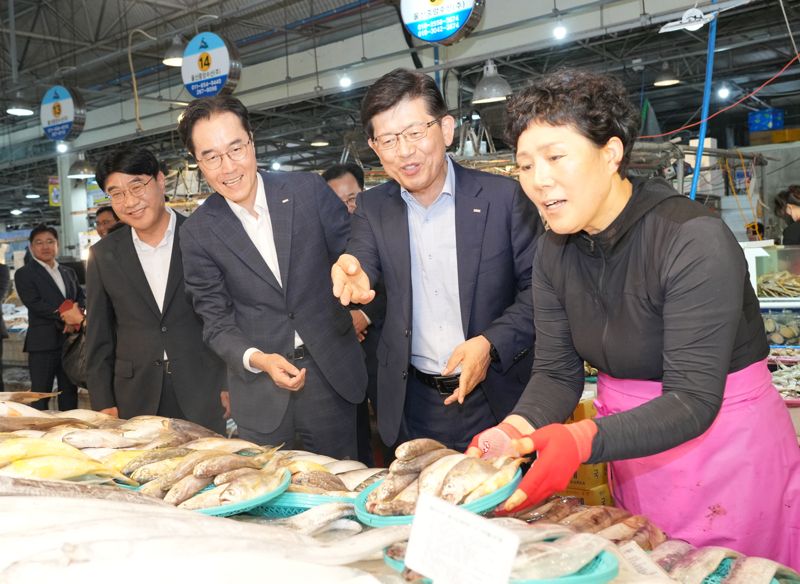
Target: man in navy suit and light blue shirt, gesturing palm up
{"points": [[455, 249]]}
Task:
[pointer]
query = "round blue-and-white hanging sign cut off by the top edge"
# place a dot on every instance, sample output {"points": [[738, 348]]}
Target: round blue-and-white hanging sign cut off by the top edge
{"points": [[441, 21]]}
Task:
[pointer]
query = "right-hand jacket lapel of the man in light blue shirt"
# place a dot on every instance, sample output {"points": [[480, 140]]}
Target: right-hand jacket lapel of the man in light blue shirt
{"points": [[470, 224]]}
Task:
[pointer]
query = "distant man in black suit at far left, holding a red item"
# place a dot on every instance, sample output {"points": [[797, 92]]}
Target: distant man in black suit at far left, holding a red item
{"points": [[43, 285]]}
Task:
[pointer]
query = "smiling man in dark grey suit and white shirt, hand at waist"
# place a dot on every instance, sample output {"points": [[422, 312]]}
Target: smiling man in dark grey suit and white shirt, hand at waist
{"points": [[256, 258]]}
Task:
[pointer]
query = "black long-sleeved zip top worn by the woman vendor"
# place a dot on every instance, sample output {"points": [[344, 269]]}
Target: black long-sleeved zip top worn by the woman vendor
{"points": [[661, 294]]}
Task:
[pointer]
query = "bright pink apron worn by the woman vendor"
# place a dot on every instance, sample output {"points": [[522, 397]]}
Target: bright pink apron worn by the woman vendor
{"points": [[737, 485]]}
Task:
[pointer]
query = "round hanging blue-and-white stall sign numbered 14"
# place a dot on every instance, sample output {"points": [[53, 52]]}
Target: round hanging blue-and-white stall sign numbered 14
{"points": [[210, 66]]}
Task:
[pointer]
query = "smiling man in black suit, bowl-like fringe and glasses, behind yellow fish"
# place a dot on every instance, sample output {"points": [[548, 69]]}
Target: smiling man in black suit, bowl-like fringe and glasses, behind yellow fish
{"points": [[145, 352]]}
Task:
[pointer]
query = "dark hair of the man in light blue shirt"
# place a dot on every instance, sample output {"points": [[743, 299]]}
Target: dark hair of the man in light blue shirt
{"points": [[396, 86]]}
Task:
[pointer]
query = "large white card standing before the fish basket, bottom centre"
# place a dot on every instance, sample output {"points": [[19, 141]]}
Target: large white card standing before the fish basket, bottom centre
{"points": [[453, 546]]}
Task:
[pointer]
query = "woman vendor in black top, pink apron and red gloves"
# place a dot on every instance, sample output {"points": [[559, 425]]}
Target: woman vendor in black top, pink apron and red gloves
{"points": [[653, 290]]}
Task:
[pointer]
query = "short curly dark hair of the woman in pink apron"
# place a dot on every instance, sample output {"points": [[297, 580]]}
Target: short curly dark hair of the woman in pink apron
{"points": [[596, 105]]}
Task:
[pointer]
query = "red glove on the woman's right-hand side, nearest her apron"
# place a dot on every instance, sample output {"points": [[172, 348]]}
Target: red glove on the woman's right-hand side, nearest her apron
{"points": [[560, 448]]}
